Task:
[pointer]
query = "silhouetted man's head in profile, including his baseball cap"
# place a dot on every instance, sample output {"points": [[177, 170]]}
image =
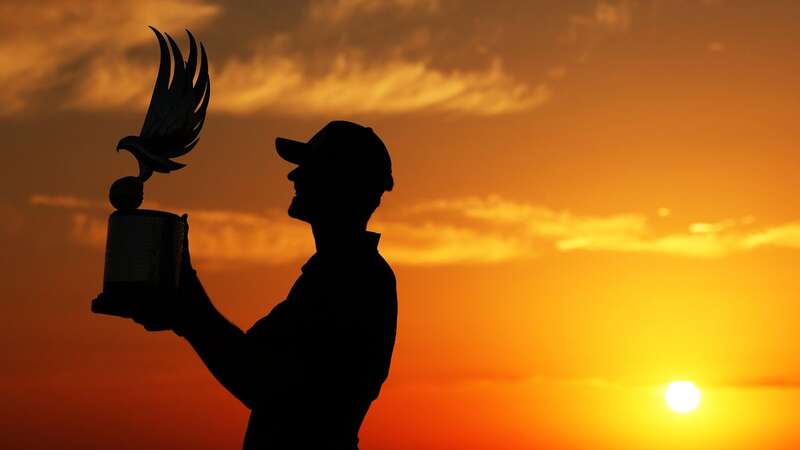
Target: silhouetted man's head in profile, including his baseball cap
{"points": [[341, 173]]}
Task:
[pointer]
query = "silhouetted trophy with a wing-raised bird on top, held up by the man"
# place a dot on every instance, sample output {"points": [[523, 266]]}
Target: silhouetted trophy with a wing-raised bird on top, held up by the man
{"points": [[144, 247]]}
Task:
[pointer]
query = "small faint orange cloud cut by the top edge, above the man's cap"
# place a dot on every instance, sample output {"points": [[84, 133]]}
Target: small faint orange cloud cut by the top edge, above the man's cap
{"points": [[336, 11]]}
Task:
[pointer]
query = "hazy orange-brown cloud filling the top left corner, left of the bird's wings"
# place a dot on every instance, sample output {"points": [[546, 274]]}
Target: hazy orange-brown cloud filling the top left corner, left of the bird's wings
{"points": [[41, 42]]}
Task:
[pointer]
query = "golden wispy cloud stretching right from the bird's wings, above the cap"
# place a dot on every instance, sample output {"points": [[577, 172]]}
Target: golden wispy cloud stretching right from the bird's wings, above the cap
{"points": [[351, 86]]}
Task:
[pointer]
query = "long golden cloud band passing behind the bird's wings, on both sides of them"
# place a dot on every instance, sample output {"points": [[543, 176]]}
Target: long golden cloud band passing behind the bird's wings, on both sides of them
{"points": [[273, 81]]}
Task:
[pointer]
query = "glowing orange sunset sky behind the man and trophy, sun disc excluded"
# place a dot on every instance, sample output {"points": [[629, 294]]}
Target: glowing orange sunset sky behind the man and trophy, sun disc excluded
{"points": [[593, 198]]}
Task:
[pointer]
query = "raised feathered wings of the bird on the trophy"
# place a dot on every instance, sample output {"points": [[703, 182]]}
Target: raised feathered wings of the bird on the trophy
{"points": [[177, 109]]}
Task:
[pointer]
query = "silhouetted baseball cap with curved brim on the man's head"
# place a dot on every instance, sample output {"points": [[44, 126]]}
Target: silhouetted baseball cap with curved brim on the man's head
{"points": [[345, 147]]}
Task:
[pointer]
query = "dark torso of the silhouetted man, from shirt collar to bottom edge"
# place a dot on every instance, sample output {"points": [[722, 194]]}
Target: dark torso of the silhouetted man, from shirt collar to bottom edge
{"points": [[323, 353]]}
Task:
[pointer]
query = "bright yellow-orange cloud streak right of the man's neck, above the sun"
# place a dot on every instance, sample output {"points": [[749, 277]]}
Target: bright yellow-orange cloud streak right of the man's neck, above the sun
{"points": [[624, 233]]}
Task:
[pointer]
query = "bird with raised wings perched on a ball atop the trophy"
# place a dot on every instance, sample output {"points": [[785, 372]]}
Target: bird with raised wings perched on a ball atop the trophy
{"points": [[174, 119]]}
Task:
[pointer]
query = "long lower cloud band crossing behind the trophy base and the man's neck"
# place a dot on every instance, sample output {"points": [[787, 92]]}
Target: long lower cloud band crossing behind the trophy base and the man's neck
{"points": [[475, 230]]}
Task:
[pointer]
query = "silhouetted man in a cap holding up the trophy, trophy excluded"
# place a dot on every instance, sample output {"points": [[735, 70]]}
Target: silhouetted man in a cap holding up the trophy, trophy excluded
{"points": [[309, 369]]}
